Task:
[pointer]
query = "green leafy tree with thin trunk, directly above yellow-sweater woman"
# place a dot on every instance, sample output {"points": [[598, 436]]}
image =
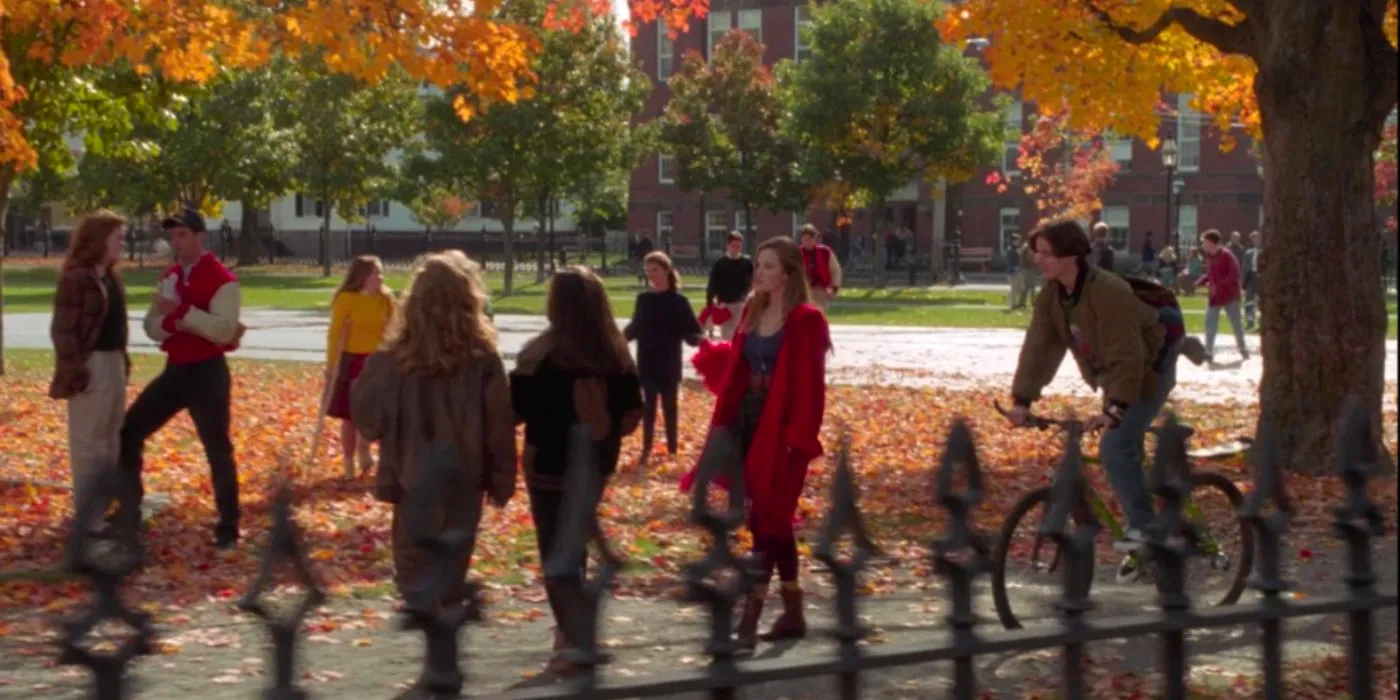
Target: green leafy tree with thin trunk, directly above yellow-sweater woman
{"points": [[345, 132]]}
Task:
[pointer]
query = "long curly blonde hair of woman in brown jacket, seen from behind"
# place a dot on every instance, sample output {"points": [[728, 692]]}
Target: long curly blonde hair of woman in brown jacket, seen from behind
{"points": [[442, 323]]}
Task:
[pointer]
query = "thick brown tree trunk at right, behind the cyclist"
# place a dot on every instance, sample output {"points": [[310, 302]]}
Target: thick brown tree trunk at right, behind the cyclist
{"points": [[1324, 316]]}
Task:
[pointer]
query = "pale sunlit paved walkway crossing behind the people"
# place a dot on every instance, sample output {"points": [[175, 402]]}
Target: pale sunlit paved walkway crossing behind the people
{"points": [[955, 358]]}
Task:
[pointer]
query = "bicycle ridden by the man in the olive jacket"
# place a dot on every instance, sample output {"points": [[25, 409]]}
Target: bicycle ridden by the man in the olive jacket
{"points": [[1230, 570]]}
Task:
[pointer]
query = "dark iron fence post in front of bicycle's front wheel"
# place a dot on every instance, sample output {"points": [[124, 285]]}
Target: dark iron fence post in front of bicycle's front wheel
{"points": [[1076, 554]]}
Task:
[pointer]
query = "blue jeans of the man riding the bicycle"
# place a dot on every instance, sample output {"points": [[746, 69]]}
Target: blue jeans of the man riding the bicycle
{"points": [[1122, 449]]}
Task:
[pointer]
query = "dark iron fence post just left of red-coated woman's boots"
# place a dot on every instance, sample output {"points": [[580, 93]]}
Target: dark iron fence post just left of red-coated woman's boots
{"points": [[703, 579]]}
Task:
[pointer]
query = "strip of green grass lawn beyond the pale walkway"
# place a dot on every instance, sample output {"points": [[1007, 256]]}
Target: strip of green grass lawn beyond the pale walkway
{"points": [[30, 289]]}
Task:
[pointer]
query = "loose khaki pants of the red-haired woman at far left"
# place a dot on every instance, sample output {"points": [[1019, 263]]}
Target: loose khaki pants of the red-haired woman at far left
{"points": [[96, 423]]}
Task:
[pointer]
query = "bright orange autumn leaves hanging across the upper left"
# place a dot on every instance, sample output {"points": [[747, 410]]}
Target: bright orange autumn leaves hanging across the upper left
{"points": [[446, 43]]}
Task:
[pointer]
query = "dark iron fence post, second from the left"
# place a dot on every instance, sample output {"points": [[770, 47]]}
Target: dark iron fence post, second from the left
{"points": [[283, 547]]}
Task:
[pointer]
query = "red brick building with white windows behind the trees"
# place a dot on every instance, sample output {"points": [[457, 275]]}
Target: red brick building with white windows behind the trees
{"points": [[1213, 190]]}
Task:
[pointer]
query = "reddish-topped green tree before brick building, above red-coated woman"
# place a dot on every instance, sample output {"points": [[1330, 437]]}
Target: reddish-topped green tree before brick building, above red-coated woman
{"points": [[723, 127]]}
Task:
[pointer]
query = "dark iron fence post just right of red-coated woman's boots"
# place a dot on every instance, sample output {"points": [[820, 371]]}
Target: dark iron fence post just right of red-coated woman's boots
{"points": [[845, 519]]}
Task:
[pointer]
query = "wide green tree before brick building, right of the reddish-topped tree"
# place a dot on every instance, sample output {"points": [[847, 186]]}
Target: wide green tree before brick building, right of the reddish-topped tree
{"points": [[883, 101]]}
